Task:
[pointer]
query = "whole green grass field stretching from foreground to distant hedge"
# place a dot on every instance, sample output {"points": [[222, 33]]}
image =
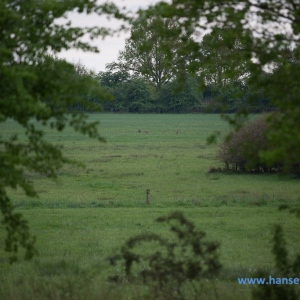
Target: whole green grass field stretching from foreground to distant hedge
{"points": [[87, 213]]}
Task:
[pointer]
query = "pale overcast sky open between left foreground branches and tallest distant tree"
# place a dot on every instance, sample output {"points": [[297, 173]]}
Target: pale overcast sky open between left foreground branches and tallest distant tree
{"points": [[108, 47]]}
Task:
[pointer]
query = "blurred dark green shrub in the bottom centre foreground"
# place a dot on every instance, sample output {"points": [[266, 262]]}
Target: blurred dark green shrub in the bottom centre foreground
{"points": [[176, 266]]}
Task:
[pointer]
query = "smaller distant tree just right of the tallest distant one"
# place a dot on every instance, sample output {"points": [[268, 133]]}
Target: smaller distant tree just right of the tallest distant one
{"points": [[224, 72]]}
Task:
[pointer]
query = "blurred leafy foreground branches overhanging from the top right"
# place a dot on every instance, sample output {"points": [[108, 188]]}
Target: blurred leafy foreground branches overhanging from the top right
{"points": [[266, 29]]}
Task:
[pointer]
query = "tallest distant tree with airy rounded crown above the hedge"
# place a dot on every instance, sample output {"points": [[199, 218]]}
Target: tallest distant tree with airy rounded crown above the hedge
{"points": [[147, 52]]}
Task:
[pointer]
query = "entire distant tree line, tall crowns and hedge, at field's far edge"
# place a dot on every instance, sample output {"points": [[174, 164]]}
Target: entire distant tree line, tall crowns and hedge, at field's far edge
{"points": [[144, 79]]}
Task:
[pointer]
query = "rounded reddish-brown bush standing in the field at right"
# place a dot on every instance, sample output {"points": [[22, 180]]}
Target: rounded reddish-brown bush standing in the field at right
{"points": [[241, 151]]}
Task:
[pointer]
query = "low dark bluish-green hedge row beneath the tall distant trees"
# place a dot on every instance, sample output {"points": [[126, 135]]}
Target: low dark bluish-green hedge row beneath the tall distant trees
{"points": [[136, 95]]}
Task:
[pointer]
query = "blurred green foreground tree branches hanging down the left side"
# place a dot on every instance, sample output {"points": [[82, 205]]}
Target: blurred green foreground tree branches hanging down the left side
{"points": [[36, 86]]}
